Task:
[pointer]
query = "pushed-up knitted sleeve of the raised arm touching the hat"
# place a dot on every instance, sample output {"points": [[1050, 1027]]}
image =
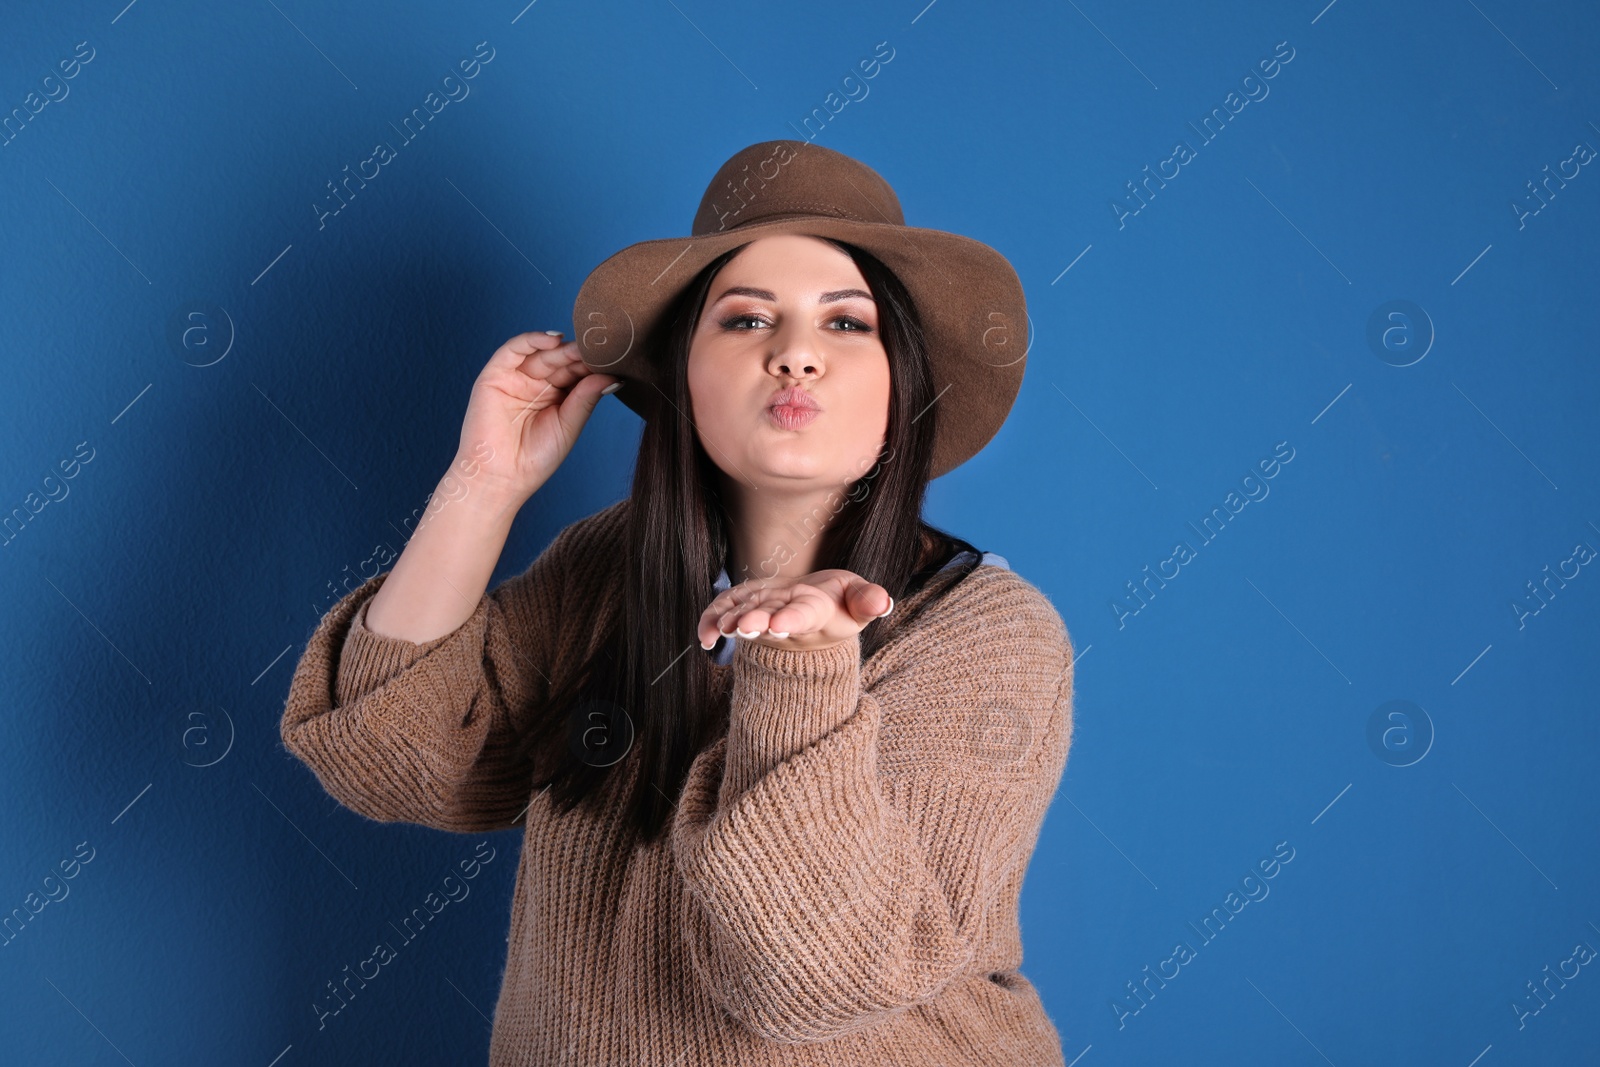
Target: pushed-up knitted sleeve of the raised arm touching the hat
{"points": [[426, 733]]}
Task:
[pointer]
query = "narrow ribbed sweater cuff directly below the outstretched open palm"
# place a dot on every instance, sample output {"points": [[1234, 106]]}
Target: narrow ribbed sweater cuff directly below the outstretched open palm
{"points": [[783, 703]]}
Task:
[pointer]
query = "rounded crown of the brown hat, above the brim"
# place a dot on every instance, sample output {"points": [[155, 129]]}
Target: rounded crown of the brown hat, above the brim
{"points": [[778, 180]]}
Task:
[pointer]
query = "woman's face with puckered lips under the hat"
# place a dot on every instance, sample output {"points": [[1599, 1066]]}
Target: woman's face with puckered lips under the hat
{"points": [[790, 311]]}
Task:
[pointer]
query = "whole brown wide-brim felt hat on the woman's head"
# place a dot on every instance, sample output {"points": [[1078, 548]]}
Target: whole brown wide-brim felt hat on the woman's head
{"points": [[967, 295]]}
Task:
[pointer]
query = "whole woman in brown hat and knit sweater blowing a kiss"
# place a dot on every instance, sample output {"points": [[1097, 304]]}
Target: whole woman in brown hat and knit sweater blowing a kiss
{"points": [[780, 820]]}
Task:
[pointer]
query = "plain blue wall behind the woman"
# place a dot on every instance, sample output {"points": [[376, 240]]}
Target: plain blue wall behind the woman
{"points": [[228, 482]]}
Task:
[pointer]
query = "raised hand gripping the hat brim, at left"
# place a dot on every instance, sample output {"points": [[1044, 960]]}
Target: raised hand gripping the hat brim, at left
{"points": [[527, 409]]}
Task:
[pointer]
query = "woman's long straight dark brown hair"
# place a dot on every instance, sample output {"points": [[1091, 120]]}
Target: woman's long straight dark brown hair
{"points": [[646, 693]]}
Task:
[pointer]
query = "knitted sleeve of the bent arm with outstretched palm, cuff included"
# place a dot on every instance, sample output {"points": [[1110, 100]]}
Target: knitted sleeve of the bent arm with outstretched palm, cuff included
{"points": [[844, 852]]}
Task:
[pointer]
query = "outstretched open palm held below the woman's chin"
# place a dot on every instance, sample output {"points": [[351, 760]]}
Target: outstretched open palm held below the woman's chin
{"points": [[818, 610]]}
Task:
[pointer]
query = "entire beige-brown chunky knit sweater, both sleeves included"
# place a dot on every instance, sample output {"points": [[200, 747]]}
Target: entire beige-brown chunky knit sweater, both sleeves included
{"points": [[839, 884]]}
